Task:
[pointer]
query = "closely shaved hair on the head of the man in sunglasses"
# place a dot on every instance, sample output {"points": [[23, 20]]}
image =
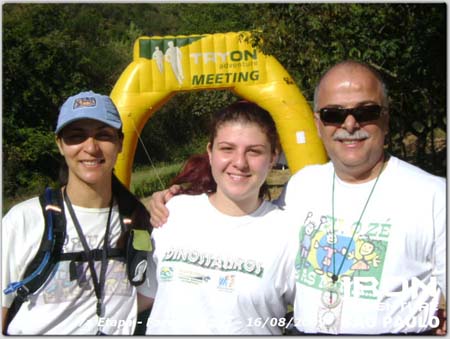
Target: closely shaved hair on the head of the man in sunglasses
{"points": [[345, 70]]}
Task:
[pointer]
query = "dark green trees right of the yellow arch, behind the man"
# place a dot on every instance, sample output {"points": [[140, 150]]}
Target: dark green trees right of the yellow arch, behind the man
{"points": [[405, 42]]}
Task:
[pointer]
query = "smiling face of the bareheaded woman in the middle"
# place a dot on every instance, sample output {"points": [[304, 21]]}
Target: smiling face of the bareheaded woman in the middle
{"points": [[241, 157]]}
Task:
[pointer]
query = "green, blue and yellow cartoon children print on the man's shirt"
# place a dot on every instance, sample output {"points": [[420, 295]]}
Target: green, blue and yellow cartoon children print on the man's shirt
{"points": [[358, 262]]}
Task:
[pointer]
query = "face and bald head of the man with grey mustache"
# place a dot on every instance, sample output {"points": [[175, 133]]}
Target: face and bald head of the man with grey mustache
{"points": [[356, 149]]}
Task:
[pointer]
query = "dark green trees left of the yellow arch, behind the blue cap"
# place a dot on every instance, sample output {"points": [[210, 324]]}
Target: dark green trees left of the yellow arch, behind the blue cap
{"points": [[51, 51]]}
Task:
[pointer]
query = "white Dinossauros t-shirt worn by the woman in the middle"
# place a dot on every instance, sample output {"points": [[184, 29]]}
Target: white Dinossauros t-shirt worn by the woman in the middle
{"points": [[219, 274]]}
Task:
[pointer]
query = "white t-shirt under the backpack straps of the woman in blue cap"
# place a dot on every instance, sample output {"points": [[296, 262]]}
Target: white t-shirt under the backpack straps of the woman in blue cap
{"points": [[63, 306]]}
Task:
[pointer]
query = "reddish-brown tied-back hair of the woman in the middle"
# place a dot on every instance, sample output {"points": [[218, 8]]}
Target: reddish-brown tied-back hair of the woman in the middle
{"points": [[196, 177]]}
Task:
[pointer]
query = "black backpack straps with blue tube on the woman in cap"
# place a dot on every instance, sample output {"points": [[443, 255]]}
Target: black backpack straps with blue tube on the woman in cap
{"points": [[138, 245]]}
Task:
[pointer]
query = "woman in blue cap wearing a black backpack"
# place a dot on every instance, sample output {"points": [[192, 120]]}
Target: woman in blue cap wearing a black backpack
{"points": [[89, 290]]}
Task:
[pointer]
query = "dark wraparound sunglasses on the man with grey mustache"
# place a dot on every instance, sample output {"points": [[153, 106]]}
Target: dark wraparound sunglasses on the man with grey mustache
{"points": [[335, 115]]}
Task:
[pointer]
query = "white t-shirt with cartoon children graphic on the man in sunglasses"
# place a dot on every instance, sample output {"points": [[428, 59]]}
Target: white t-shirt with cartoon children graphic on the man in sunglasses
{"points": [[392, 273]]}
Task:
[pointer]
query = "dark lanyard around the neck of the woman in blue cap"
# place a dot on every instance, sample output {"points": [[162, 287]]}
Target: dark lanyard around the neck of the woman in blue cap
{"points": [[98, 284]]}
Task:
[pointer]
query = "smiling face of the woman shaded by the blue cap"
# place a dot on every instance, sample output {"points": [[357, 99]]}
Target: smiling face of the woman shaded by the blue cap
{"points": [[90, 149]]}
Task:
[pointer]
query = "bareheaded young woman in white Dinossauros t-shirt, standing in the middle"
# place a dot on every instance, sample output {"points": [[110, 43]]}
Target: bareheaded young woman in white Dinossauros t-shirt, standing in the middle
{"points": [[225, 259]]}
